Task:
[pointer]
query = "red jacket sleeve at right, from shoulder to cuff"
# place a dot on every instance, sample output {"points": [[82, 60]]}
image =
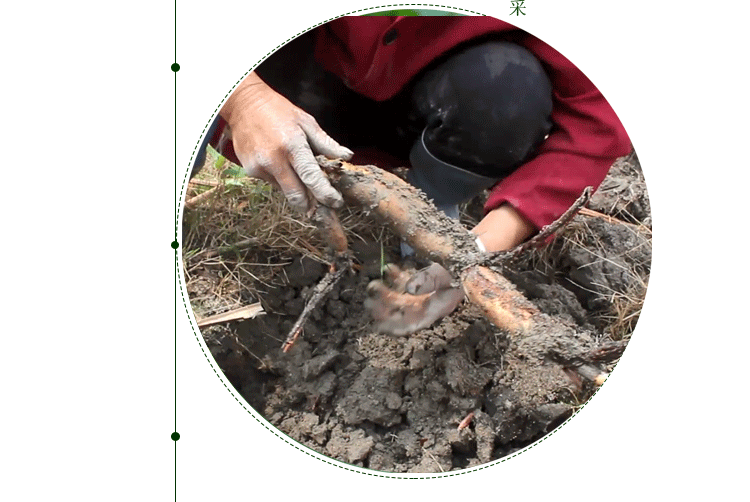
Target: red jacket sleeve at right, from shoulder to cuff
{"points": [[585, 140]]}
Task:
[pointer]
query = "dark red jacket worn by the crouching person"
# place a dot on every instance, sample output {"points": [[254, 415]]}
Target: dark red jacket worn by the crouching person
{"points": [[378, 56]]}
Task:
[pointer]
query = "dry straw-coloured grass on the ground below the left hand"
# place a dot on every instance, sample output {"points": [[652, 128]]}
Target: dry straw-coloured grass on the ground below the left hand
{"points": [[238, 239]]}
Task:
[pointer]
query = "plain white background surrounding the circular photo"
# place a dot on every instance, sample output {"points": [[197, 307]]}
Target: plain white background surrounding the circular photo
{"points": [[87, 360]]}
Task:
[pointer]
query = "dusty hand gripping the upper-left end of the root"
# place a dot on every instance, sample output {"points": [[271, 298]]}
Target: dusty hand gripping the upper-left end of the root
{"points": [[275, 141]]}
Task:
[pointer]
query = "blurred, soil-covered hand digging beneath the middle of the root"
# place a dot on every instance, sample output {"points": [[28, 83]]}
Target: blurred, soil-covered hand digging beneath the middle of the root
{"points": [[413, 300]]}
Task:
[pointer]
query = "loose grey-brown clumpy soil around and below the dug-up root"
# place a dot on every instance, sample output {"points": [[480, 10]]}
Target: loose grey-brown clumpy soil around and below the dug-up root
{"points": [[394, 404]]}
